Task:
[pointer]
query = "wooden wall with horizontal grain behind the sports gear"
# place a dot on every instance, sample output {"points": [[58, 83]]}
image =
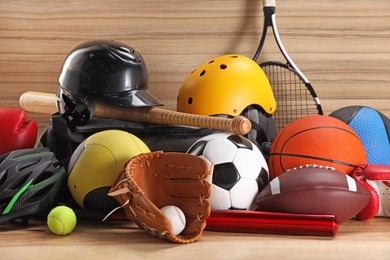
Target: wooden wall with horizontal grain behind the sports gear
{"points": [[343, 47]]}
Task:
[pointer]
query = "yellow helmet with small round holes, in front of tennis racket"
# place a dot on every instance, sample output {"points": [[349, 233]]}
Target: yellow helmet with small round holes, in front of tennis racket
{"points": [[226, 85]]}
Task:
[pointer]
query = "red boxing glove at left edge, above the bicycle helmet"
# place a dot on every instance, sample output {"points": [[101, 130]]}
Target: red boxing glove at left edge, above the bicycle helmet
{"points": [[15, 132]]}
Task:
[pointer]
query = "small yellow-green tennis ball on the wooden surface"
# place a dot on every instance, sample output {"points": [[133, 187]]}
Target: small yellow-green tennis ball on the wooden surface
{"points": [[61, 220]]}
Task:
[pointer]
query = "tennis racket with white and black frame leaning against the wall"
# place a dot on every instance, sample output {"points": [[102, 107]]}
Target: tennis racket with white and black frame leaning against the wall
{"points": [[294, 95]]}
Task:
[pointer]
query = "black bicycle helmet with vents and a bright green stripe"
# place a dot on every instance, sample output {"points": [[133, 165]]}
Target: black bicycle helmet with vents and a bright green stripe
{"points": [[29, 182]]}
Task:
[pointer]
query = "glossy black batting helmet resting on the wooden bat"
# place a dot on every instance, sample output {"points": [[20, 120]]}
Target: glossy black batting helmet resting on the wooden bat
{"points": [[109, 71]]}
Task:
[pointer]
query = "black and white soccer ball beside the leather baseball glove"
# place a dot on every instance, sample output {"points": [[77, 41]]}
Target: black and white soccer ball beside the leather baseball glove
{"points": [[239, 170]]}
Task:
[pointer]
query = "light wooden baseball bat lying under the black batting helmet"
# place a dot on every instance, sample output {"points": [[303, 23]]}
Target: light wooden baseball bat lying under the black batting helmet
{"points": [[42, 102]]}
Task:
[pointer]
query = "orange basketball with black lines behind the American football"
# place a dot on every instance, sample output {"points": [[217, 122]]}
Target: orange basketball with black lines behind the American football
{"points": [[316, 139]]}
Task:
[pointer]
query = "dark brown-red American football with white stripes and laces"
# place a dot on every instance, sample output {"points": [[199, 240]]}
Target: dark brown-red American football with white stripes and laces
{"points": [[314, 190]]}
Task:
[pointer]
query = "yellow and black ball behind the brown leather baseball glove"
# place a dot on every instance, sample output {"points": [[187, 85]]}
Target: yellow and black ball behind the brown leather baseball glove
{"points": [[96, 164]]}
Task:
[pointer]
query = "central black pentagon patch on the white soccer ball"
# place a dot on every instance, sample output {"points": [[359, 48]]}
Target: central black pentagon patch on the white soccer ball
{"points": [[225, 175]]}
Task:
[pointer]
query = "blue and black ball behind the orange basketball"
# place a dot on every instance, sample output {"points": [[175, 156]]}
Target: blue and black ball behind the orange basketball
{"points": [[372, 127]]}
